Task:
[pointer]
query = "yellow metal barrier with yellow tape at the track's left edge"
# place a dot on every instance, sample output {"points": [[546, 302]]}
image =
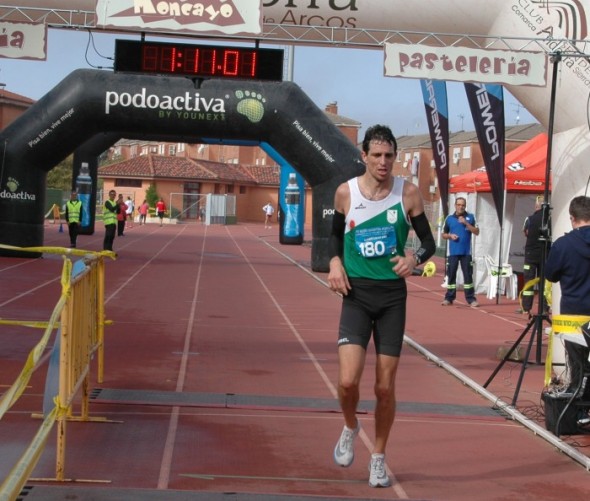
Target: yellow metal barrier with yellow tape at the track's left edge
{"points": [[80, 309]]}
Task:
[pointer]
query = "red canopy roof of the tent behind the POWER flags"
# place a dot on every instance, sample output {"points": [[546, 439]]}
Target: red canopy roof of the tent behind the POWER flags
{"points": [[524, 171]]}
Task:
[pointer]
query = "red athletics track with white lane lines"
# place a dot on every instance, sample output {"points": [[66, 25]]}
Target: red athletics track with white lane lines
{"points": [[220, 381]]}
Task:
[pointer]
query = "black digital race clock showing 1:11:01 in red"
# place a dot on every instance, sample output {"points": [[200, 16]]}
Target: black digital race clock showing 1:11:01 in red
{"points": [[200, 61]]}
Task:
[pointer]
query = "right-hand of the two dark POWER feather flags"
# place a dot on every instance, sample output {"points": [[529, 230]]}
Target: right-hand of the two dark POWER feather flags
{"points": [[487, 109]]}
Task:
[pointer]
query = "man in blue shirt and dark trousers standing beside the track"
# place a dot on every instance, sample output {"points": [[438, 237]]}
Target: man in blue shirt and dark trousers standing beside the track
{"points": [[458, 229]]}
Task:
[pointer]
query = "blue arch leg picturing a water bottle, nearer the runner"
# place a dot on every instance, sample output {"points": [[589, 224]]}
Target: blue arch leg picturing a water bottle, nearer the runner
{"points": [[292, 206]]}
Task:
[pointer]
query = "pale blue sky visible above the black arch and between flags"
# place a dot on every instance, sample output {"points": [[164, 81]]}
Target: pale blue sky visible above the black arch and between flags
{"points": [[353, 78]]}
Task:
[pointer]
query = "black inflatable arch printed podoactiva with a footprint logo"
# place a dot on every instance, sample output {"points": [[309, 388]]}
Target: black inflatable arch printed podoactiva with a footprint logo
{"points": [[91, 109]]}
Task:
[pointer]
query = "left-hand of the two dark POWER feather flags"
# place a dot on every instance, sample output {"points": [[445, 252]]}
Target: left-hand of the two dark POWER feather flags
{"points": [[435, 101]]}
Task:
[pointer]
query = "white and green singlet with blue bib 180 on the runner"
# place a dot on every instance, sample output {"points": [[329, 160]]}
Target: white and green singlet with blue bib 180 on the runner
{"points": [[375, 232]]}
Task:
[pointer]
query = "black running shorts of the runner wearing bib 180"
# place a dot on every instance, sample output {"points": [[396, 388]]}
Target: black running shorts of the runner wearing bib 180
{"points": [[374, 307]]}
